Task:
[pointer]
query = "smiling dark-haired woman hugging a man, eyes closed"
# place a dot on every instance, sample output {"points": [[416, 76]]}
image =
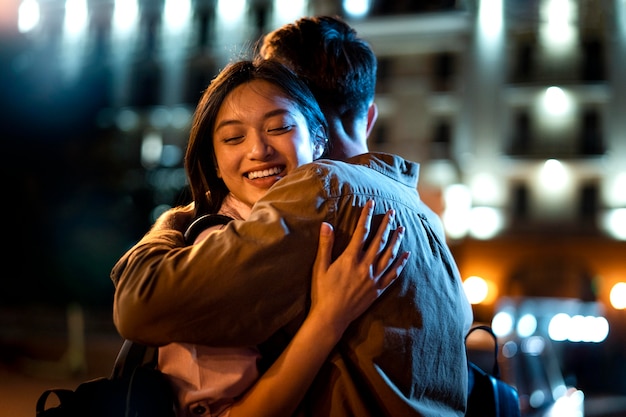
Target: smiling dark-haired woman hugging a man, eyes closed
{"points": [[254, 124]]}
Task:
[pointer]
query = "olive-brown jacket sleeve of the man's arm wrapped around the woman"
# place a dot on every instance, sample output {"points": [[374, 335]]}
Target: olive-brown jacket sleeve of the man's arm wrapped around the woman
{"points": [[238, 286]]}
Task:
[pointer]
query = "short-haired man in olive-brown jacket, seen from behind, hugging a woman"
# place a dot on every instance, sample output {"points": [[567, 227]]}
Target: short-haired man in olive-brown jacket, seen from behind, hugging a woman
{"points": [[249, 282]]}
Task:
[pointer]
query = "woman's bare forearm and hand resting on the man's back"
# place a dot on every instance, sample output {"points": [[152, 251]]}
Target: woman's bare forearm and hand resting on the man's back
{"points": [[340, 292]]}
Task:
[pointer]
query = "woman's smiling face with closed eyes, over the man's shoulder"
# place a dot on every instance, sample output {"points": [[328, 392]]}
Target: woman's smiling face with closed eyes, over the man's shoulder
{"points": [[259, 137]]}
